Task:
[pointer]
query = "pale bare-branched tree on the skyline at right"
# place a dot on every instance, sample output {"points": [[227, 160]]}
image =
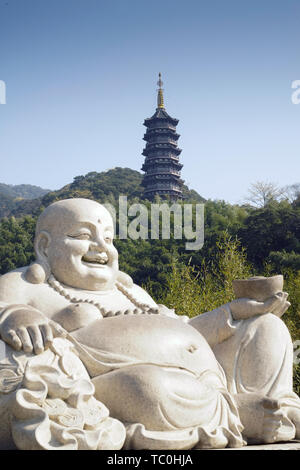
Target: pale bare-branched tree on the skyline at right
{"points": [[262, 193]]}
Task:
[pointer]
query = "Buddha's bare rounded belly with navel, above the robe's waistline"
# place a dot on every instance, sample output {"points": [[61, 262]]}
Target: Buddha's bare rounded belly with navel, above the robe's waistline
{"points": [[150, 339]]}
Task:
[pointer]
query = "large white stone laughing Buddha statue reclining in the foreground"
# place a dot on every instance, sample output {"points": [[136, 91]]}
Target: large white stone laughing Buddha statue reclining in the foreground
{"points": [[89, 360]]}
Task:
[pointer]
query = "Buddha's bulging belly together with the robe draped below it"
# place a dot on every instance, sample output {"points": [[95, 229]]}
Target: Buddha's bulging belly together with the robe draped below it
{"points": [[160, 377]]}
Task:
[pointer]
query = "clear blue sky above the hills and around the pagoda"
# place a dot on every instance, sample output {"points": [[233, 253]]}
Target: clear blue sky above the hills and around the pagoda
{"points": [[81, 77]]}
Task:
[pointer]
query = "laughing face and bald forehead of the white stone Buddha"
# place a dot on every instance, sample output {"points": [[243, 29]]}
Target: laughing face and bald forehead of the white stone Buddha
{"points": [[81, 253]]}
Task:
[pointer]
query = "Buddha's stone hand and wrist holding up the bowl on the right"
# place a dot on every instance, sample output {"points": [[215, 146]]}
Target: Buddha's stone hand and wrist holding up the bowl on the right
{"points": [[247, 308]]}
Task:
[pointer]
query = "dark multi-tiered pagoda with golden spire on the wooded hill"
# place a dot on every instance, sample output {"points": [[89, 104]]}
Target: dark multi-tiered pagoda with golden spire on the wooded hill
{"points": [[161, 165]]}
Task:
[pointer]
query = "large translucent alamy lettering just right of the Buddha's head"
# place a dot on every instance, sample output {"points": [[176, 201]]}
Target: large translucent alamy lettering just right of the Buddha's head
{"points": [[156, 221]]}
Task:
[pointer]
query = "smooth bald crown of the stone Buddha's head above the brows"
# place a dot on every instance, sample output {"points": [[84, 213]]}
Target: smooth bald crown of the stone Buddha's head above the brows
{"points": [[61, 215]]}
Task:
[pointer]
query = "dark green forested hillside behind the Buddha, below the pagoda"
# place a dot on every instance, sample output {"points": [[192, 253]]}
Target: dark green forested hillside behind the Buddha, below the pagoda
{"points": [[270, 235]]}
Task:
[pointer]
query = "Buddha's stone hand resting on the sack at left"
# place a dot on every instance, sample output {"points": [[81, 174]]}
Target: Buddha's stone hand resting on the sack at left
{"points": [[26, 328]]}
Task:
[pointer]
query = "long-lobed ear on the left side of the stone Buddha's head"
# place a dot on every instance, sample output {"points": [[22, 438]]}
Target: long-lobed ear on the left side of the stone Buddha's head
{"points": [[39, 271]]}
